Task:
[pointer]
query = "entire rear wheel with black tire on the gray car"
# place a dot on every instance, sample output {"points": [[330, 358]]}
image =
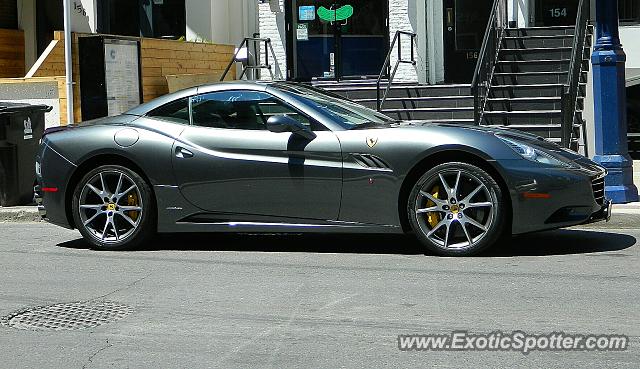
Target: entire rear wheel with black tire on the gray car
{"points": [[141, 225]]}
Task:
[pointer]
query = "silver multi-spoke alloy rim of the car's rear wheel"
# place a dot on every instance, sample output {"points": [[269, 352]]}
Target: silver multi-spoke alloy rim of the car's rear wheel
{"points": [[110, 216]]}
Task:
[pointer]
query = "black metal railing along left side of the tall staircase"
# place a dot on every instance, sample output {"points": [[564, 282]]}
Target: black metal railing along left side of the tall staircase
{"points": [[488, 57]]}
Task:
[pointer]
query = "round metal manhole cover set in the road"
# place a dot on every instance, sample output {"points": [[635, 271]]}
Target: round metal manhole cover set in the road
{"points": [[67, 316]]}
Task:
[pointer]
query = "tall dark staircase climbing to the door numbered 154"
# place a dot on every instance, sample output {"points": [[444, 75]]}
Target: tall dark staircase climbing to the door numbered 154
{"points": [[538, 79]]}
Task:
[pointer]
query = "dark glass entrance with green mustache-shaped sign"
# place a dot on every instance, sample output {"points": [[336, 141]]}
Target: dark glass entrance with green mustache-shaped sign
{"points": [[337, 38]]}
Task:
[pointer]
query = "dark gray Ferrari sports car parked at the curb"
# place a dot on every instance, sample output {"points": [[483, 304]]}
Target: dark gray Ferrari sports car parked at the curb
{"points": [[280, 157]]}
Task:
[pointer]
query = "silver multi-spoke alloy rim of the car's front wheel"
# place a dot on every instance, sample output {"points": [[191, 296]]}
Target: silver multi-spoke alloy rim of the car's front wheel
{"points": [[455, 209]]}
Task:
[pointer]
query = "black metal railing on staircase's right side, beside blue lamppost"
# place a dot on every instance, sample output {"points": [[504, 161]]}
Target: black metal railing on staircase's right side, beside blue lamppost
{"points": [[570, 93]]}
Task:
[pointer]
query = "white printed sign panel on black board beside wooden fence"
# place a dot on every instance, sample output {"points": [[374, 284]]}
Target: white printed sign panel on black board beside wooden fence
{"points": [[122, 75]]}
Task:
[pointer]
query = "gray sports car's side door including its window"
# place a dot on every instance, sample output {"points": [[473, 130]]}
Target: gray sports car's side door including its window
{"points": [[227, 162]]}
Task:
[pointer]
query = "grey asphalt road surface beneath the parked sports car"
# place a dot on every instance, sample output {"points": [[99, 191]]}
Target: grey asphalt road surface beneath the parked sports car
{"points": [[318, 301]]}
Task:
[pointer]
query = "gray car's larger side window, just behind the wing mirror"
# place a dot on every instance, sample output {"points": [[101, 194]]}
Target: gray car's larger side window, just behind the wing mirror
{"points": [[247, 110]]}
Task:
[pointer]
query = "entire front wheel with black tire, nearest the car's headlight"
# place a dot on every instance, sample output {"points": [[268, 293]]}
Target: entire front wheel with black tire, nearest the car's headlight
{"points": [[456, 209]]}
